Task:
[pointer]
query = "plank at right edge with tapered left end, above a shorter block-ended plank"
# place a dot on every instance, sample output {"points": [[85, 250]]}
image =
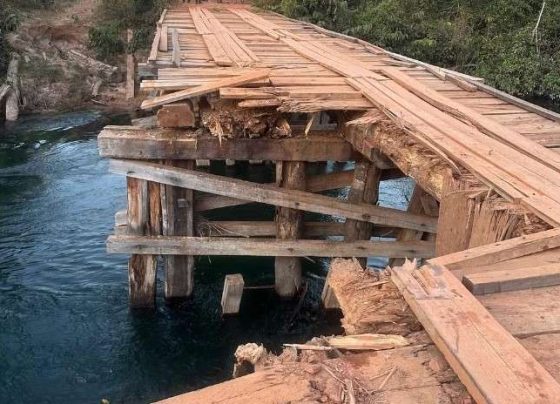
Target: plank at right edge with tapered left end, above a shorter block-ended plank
{"points": [[501, 251]]}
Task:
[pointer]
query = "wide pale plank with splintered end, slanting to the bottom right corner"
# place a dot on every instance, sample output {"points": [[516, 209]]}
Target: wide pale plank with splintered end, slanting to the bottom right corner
{"points": [[491, 363]]}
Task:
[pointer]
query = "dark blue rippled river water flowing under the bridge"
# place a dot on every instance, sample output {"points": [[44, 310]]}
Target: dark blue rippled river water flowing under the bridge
{"points": [[66, 333]]}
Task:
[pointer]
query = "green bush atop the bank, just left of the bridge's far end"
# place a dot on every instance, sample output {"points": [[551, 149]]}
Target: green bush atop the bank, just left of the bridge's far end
{"points": [[107, 38]]}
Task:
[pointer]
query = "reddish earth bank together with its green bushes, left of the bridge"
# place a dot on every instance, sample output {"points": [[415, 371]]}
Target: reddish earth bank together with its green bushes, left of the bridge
{"points": [[60, 43]]}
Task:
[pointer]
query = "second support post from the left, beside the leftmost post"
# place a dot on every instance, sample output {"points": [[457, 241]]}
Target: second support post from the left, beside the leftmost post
{"points": [[178, 205]]}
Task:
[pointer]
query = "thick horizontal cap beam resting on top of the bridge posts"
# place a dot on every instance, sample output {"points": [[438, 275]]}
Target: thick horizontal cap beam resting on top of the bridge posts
{"points": [[129, 142]]}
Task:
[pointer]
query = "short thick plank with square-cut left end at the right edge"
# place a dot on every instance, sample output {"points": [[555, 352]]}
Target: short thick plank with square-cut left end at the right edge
{"points": [[483, 283]]}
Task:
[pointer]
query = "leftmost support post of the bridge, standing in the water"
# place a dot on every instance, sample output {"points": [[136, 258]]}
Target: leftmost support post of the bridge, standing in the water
{"points": [[141, 268]]}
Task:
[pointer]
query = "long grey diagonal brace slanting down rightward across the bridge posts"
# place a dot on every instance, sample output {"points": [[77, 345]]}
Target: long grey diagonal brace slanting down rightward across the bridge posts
{"points": [[262, 193]]}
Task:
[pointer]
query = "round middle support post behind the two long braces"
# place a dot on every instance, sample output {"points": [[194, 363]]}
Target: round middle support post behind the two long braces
{"points": [[287, 270]]}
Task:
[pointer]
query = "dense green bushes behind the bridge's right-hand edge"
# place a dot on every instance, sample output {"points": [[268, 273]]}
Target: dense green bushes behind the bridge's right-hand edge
{"points": [[499, 40]]}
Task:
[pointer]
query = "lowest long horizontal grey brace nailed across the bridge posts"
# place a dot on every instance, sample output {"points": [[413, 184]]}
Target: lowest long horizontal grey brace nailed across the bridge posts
{"points": [[127, 244]]}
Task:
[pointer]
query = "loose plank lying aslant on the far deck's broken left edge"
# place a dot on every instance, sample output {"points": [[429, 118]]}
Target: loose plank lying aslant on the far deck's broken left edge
{"points": [[206, 88]]}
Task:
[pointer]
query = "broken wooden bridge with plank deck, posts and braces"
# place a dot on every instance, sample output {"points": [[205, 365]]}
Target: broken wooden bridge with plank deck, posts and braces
{"points": [[235, 84]]}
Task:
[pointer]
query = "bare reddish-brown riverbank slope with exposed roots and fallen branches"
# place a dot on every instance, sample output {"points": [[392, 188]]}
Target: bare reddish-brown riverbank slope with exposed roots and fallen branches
{"points": [[57, 70]]}
